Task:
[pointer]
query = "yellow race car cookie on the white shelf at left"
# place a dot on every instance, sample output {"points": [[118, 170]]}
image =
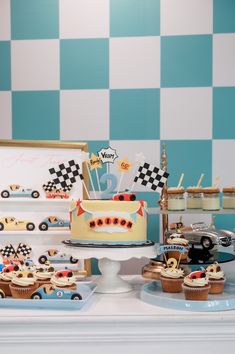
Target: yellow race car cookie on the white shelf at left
{"points": [[9, 223]]}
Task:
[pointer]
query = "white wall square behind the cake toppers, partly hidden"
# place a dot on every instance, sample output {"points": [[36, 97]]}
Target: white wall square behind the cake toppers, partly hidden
{"points": [[129, 149]]}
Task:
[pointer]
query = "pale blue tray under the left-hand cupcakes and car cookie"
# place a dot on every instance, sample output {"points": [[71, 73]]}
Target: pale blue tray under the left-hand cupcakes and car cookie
{"points": [[85, 289]]}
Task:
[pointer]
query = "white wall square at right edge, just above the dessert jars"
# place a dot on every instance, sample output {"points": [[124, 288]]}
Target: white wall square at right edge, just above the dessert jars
{"points": [[222, 162]]}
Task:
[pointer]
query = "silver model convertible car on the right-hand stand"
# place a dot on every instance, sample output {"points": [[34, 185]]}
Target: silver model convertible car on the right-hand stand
{"points": [[206, 236]]}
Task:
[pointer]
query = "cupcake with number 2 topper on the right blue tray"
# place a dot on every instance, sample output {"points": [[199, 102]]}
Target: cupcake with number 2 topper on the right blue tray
{"points": [[172, 278]]}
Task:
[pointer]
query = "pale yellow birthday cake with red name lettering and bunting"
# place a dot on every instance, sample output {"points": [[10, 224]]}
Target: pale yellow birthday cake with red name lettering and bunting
{"points": [[108, 221]]}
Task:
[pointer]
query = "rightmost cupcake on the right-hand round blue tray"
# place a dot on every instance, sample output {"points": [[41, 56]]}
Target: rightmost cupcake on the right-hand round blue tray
{"points": [[216, 278]]}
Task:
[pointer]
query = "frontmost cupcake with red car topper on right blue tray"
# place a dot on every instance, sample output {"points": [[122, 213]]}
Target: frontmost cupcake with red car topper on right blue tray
{"points": [[196, 286]]}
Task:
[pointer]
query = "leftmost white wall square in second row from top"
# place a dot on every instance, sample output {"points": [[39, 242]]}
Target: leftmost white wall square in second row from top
{"points": [[35, 65]]}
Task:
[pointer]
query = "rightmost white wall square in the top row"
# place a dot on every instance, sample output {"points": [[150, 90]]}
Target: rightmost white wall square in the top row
{"points": [[186, 17]]}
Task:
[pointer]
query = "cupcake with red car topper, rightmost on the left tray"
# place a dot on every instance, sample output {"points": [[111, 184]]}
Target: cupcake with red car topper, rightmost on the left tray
{"points": [[64, 279]]}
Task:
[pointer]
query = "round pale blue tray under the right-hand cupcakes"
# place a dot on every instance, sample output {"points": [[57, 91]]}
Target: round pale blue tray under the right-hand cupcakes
{"points": [[152, 293]]}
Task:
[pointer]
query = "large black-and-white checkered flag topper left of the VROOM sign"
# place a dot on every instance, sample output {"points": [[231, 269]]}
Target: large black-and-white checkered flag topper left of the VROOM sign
{"points": [[66, 174]]}
